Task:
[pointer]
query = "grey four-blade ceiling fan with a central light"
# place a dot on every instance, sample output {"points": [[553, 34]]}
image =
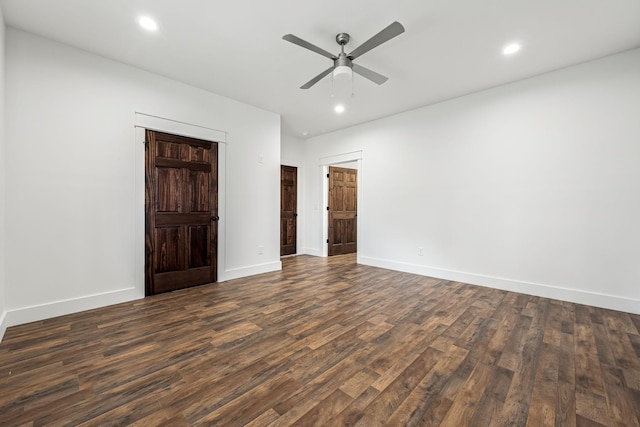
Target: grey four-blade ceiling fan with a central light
{"points": [[343, 63]]}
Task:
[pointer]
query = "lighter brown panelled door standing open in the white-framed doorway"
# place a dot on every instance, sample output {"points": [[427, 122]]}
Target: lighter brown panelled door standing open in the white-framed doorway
{"points": [[343, 210]]}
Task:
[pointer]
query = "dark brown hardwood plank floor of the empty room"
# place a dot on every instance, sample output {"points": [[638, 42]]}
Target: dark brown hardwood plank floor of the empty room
{"points": [[326, 342]]}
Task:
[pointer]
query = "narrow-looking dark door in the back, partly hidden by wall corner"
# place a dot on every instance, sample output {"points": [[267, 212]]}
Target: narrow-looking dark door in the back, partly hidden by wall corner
{"points": [[288, 208]]}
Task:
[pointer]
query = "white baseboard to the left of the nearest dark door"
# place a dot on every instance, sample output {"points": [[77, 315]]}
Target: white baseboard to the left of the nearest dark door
{"points": [[35, 313]]}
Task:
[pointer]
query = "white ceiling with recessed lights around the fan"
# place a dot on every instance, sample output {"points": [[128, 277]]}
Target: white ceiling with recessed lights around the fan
{"points": [[235, 48]]}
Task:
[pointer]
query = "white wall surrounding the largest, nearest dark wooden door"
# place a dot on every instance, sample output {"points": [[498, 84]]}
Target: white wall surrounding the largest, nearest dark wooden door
{"points": [[74, 193]]}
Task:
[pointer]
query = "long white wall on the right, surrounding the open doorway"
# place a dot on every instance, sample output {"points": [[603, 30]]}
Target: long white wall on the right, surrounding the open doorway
{"points": [[532, 186]]}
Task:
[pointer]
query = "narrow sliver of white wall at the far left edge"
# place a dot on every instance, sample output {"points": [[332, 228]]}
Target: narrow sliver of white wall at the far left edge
{"points": [[3, 304]]}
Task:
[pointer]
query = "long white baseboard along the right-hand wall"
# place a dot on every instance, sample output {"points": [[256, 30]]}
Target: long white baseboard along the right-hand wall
{"points": [[595, 299]]}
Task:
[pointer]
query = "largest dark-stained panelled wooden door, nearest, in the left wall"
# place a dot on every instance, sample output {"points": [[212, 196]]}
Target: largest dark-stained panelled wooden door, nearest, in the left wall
{"points": [[181, 205]]}
